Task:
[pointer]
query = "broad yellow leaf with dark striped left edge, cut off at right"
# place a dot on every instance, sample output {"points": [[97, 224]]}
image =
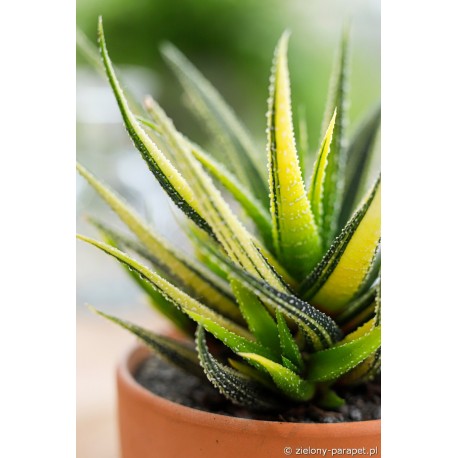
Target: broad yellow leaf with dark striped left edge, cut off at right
{"points": [[343, 270]]}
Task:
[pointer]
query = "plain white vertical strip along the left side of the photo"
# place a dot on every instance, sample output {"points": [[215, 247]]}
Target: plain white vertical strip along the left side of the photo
{"points": [[37, 293]]}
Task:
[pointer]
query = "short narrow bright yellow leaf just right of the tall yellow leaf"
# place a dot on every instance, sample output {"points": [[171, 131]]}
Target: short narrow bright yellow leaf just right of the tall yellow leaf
{"points": [[316, 189]]}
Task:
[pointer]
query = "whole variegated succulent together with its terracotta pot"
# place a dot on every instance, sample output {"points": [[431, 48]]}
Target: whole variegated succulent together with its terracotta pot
{"points": [[278, 314]]}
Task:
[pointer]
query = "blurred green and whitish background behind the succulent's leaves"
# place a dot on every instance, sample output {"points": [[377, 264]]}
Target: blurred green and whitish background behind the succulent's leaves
{"points": [[232, 43]]}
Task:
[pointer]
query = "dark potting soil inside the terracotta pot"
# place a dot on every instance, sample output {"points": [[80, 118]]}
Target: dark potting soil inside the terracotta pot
{"points": [[167, 381]]}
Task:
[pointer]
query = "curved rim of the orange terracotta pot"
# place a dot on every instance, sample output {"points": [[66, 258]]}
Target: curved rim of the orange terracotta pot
{"points": [[137, 354]]}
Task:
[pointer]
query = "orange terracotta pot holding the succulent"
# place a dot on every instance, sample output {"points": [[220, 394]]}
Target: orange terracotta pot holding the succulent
{"points": [[153, 427]]}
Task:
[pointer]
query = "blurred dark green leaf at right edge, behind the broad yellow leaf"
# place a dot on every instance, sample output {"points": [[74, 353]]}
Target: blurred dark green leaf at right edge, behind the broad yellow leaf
{"points": [[359, 155]]}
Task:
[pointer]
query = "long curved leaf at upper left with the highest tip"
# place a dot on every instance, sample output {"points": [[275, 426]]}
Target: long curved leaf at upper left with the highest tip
{"points": [[168, 177]]}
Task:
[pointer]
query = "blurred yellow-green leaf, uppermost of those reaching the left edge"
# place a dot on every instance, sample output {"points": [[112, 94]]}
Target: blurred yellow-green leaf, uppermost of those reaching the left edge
{"points": [[203, 285]]}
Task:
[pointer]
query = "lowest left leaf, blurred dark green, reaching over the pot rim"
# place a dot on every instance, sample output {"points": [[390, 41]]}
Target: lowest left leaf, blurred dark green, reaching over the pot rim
{"points": [[177, 353]]}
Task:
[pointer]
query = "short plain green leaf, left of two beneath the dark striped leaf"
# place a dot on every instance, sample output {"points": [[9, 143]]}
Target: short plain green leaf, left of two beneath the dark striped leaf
{"points": [[259, 320]]}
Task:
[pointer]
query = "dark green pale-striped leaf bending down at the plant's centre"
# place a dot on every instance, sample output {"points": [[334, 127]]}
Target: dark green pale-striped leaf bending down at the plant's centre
{"points": [[320, 330]]}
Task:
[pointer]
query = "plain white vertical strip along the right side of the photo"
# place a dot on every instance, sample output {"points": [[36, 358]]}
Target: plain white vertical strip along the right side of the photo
{"points": [[419, 164]]}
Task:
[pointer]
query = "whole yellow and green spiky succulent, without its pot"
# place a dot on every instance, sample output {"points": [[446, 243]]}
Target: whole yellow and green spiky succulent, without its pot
{"points": [[287, 278]]}
